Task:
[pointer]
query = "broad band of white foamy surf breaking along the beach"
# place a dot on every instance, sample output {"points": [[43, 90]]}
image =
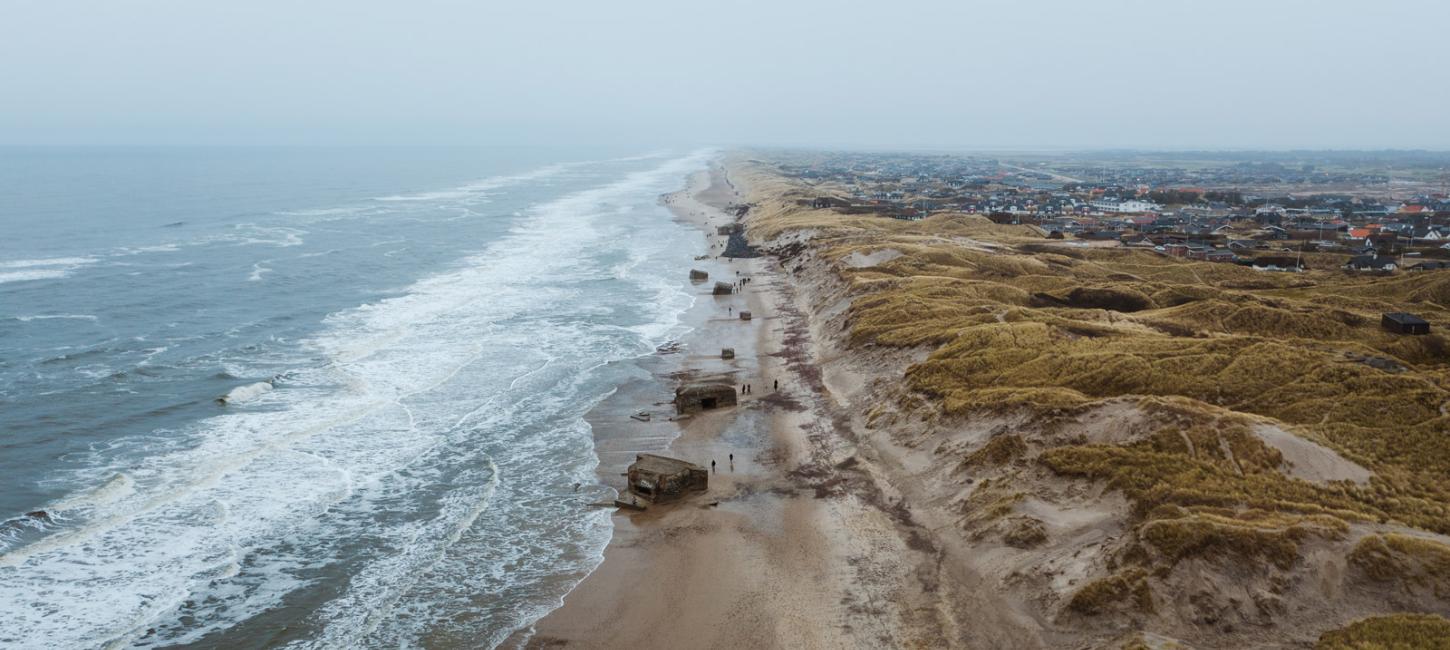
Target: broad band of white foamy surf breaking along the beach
{"points": [[408, 482]]}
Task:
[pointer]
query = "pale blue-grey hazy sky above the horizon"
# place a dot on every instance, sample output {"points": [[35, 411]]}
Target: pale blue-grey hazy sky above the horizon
{"points": [[890, 73]]}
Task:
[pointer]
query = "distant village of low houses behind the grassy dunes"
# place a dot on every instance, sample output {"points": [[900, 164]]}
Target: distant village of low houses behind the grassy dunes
{"points": [[1277, 215]]}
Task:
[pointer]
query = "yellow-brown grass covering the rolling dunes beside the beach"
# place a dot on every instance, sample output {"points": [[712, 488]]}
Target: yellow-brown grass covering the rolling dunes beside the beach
{"points": [[1007, 321]]}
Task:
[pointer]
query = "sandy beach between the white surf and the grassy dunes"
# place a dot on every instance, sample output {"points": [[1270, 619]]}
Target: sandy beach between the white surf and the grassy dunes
{"points": [[771, 556]]}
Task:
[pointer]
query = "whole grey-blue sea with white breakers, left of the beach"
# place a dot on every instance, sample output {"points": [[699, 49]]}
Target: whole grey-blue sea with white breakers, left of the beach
{"points": [[304, 398]]}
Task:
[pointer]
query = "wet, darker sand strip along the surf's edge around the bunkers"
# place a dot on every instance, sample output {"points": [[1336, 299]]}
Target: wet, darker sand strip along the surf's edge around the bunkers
{"points": [[713, 324]]}
